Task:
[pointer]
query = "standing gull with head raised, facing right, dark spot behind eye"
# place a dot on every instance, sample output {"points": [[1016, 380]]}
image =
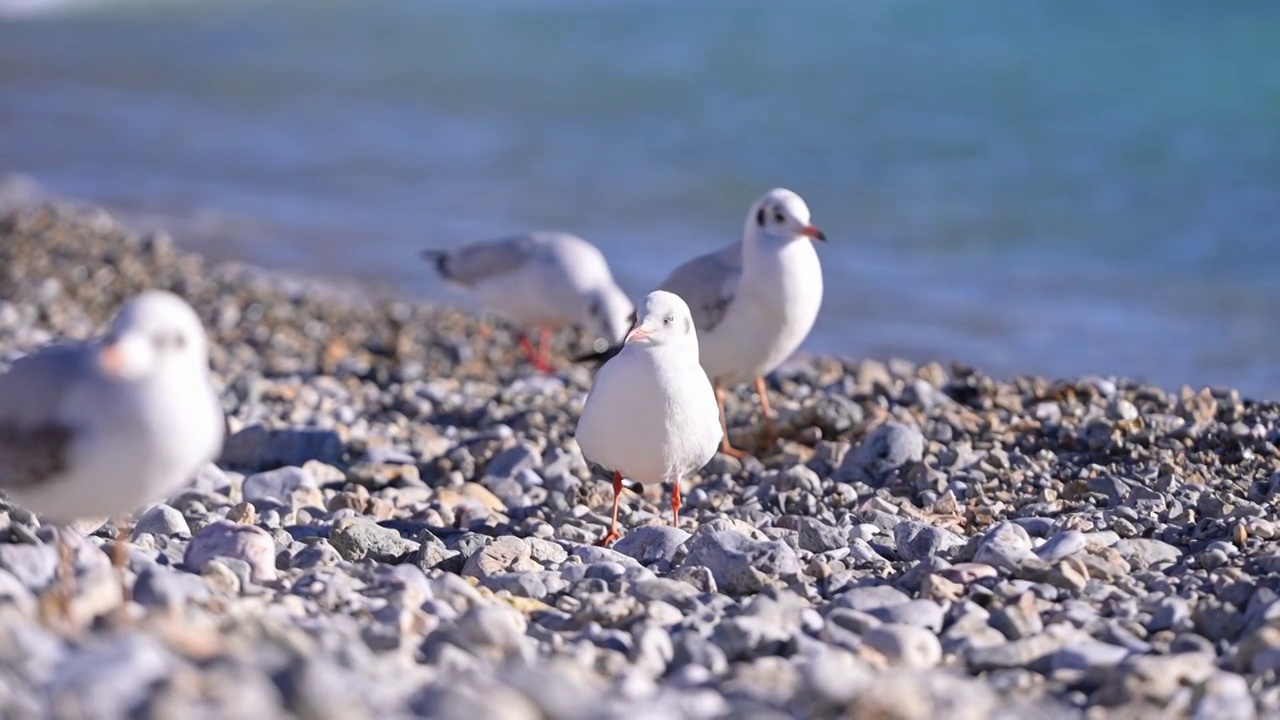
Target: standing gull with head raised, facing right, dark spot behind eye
{"points": [[753, 302]]}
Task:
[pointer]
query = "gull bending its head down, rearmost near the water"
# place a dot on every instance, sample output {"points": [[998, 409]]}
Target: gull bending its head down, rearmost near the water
{"points": [[547, 280]]}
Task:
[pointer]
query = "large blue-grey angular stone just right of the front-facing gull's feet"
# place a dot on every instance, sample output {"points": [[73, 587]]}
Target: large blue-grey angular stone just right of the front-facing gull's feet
{"points": [[739, 564]]}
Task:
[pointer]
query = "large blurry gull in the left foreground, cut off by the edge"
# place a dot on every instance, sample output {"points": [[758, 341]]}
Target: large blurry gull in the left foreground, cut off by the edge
{"points": [[102, 429]]}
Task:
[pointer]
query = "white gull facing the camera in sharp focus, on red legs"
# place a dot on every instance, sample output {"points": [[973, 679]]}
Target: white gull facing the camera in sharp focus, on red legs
{"points": [[651, 413]]}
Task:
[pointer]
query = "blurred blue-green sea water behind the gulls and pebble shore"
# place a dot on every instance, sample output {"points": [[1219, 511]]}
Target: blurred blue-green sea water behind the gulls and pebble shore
{"points": [[1032, 188]]}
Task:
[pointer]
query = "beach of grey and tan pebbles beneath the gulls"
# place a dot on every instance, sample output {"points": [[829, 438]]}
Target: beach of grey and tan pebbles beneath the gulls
{"points": [[401, 526]]}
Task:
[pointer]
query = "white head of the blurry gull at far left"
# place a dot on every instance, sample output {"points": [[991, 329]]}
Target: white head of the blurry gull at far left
{"points": [[154, 334]]}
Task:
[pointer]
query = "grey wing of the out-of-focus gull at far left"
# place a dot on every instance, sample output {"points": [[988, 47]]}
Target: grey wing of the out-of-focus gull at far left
{"points": [[34, 443]]}
